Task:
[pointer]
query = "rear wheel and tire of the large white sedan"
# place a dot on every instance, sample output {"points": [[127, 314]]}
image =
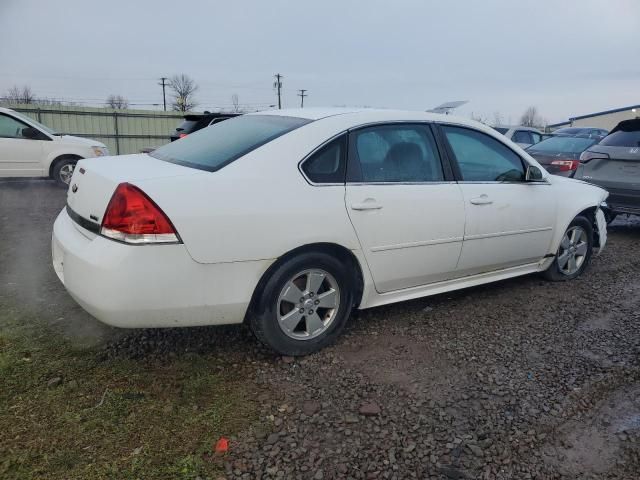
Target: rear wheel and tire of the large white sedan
{"points": [[304, 304]]}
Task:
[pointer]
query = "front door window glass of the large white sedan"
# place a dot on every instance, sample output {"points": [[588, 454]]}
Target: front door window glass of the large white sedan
{"points": [[482, 158]]}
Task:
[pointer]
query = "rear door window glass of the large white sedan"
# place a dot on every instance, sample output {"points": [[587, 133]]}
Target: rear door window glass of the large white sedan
{"points": [[394, 153]]}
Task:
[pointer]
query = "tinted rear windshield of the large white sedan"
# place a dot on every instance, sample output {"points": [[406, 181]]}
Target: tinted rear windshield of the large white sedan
{"points": [[214, 147]]}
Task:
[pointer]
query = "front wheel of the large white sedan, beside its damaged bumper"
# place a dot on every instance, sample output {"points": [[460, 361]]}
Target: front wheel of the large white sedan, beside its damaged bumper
{"points": [[574, 252]]}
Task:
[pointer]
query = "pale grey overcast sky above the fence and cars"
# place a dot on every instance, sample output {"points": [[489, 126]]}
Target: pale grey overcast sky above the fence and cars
{"points": [[566, 57]]}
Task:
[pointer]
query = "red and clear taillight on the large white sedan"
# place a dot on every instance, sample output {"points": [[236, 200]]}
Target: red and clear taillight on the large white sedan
{"points": [[132, 217]]}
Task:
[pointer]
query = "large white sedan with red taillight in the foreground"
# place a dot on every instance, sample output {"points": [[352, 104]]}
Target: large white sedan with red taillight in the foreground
{"points": [[287, 220]]}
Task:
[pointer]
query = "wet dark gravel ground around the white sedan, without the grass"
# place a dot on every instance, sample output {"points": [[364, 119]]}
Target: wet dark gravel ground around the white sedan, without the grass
{"points": [[515, 380]]}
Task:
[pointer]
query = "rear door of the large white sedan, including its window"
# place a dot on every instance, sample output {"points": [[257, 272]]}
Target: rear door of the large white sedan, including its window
{"points": [[405, 207]]}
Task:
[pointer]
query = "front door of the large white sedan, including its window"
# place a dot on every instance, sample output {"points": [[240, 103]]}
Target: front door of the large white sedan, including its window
{"points": [[509, 221]]}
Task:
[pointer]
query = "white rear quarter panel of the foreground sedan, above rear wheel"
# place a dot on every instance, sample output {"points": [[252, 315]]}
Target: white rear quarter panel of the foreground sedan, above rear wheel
{"points": [[258, 207]]}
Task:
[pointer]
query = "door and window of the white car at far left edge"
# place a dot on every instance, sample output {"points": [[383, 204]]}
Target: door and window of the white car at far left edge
{"points": [[19, 155]]}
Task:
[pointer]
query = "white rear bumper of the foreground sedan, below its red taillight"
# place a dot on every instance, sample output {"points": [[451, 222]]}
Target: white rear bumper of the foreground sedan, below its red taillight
{"points": [[149, 286]]}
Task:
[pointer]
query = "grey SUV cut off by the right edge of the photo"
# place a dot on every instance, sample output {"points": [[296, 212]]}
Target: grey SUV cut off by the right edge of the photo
{"points": [[614, 164]]}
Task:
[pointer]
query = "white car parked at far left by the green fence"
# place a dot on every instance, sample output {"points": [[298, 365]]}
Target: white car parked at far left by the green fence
{"points": [[31, 149]]}
